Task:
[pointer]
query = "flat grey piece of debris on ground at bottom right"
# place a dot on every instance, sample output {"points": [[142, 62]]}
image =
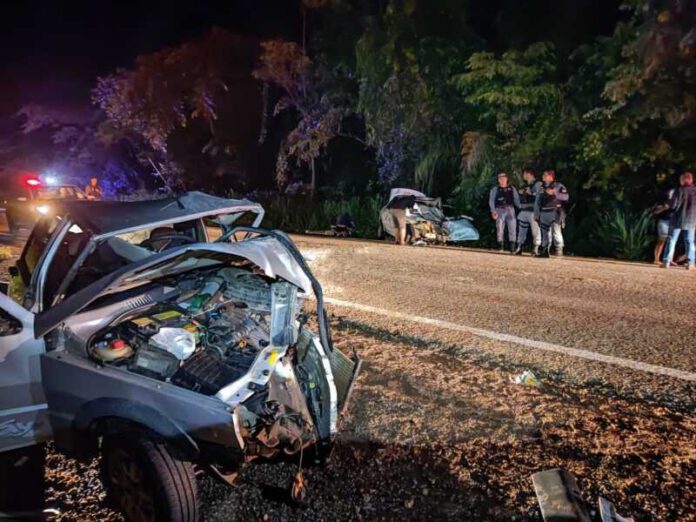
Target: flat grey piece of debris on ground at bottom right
{"points": [[559, 496]]}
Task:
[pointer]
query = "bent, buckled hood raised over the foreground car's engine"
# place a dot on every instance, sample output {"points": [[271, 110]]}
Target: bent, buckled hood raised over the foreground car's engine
{"points": [[265, 252]]}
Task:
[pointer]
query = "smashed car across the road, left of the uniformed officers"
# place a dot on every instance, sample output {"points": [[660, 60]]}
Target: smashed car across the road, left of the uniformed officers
{"points": [[427, 222]]}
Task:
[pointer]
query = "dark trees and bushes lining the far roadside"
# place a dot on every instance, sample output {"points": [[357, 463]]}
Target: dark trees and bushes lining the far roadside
{"points": [[438, 95]]}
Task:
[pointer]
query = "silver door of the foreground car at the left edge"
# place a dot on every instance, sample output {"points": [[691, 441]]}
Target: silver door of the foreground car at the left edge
{"points": [[23, 411]]}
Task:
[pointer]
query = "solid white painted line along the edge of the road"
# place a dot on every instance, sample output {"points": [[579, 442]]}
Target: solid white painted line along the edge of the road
{"points": [[539, 345]]}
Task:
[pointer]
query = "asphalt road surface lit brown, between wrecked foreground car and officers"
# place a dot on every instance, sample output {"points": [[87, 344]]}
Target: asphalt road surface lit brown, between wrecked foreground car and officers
{"points": [[626, 325]]}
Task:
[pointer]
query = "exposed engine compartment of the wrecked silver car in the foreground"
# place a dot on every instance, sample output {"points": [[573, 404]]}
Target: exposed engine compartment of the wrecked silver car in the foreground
{"points": [[204, 335]]}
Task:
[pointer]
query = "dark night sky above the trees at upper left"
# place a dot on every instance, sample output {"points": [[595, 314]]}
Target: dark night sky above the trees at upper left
{"points": [[55, 49]]}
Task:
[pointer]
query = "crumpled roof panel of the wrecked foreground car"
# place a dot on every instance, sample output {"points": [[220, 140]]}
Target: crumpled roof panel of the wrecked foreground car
{"points": [[111, 216]]}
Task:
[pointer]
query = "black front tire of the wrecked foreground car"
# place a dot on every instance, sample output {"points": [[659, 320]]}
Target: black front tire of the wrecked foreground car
{"points": [[147, 480]]}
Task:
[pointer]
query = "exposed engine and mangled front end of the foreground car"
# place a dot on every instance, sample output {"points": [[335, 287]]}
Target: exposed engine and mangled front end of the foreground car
{"points": [[226, 333]]}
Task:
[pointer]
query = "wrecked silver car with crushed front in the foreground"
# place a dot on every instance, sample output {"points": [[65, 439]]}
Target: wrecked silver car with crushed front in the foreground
{"points": [[170, 336]]}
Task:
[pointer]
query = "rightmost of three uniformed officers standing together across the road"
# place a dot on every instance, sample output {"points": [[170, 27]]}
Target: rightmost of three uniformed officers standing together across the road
{"points": [[549, 211]]}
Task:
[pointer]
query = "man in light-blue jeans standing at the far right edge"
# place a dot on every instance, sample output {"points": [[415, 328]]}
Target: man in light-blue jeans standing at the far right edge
{"points": [[683, 219]]}
